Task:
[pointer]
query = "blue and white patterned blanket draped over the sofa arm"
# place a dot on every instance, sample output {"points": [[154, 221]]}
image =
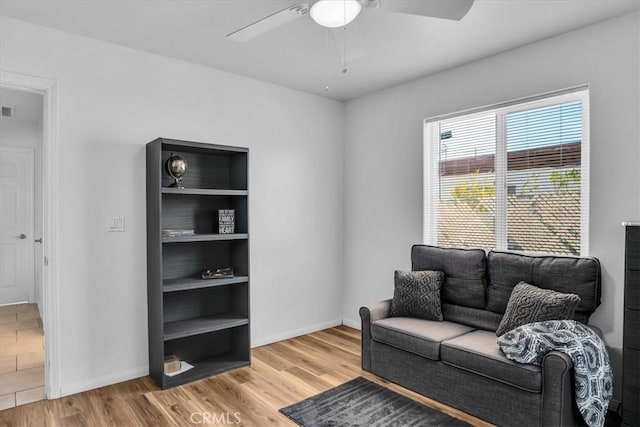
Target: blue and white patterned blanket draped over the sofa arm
{"points": [[592, 371]]}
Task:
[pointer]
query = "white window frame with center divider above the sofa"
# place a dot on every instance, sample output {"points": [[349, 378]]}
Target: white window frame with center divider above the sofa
{"points": [[431, 146]]}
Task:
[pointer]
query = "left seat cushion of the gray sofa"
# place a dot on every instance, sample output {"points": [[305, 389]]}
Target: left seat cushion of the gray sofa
{"points": [[417, 336]]}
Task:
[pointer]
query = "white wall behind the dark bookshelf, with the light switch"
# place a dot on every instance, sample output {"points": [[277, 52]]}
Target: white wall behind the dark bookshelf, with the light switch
{"points": [[113, 100]]}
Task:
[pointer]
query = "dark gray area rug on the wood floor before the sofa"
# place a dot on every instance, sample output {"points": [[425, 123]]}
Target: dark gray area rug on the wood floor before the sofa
{"points": [[361, 402]]}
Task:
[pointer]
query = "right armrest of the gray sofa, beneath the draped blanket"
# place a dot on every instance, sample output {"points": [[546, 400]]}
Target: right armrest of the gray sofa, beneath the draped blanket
{"points": [[557, 391]]}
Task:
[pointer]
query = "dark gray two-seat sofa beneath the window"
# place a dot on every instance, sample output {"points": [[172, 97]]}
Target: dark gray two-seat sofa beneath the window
{"points": [[457, 361]]}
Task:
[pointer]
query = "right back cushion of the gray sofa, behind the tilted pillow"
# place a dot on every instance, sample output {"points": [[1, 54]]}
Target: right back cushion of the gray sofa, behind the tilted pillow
{"points": [[576, 275]]}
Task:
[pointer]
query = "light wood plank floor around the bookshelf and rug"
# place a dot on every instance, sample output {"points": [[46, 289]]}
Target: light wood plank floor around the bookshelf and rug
{"points": [[281, 374]]}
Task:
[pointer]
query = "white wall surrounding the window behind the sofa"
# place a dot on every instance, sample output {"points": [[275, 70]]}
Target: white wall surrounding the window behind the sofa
{"points": [[383, 194]]}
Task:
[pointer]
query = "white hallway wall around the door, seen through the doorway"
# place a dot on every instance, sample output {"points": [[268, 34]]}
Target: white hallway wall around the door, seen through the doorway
{"points": [[25, 130]]}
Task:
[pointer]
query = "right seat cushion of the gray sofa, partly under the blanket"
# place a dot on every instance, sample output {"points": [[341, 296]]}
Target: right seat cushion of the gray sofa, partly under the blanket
{"points": [[479, 353]]}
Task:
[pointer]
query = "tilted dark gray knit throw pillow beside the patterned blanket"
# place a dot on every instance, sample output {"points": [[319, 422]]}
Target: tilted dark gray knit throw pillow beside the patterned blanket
{"points": [[529, 304]]}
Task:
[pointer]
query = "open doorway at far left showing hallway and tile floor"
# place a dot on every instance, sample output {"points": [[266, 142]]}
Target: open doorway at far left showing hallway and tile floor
{"points": [[22, 352]]}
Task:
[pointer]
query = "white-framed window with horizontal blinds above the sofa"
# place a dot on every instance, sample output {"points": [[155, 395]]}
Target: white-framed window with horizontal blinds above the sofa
{"points": [[510, 177]]}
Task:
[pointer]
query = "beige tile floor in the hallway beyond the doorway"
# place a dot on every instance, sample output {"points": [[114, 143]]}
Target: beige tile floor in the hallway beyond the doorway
{"points": [[21, 355]]}
